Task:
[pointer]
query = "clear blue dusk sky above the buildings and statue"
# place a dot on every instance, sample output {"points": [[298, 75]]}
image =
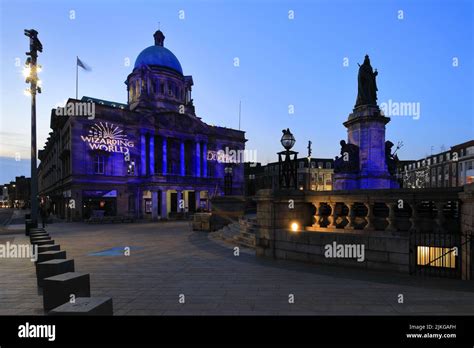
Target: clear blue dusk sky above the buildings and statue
{"points": [[282, 62]]}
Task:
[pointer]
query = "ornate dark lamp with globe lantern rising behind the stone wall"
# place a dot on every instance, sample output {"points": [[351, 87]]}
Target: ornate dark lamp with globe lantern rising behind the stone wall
{"points": [[287, 162]]}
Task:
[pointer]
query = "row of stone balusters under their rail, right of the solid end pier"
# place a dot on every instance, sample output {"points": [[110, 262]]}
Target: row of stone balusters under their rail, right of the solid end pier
{"points": [[387, 210]]}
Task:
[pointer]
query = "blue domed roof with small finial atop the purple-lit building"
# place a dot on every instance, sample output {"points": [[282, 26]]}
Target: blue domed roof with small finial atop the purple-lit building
{"points": [[158, 55]]}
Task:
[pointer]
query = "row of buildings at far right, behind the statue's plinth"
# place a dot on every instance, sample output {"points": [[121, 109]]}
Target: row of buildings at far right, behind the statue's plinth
{"points": [[451, 168]]}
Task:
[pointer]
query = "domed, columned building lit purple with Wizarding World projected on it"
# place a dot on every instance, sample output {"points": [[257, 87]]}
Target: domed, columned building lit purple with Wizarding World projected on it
{"points": [[150, 158]]}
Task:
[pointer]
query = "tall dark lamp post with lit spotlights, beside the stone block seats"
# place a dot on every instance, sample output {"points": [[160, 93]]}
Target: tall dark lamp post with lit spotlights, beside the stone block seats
{"points": [[31, 73]]}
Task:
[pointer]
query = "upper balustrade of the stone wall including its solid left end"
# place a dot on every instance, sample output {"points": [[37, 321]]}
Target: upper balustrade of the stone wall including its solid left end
{"points": [[379, 210]]}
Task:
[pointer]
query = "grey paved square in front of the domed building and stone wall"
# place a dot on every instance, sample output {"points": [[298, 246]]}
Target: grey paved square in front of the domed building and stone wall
{"points": [[168, 259]]}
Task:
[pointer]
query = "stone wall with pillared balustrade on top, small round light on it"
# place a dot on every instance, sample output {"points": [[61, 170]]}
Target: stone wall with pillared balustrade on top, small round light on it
{"points": [[387, 249]]}
